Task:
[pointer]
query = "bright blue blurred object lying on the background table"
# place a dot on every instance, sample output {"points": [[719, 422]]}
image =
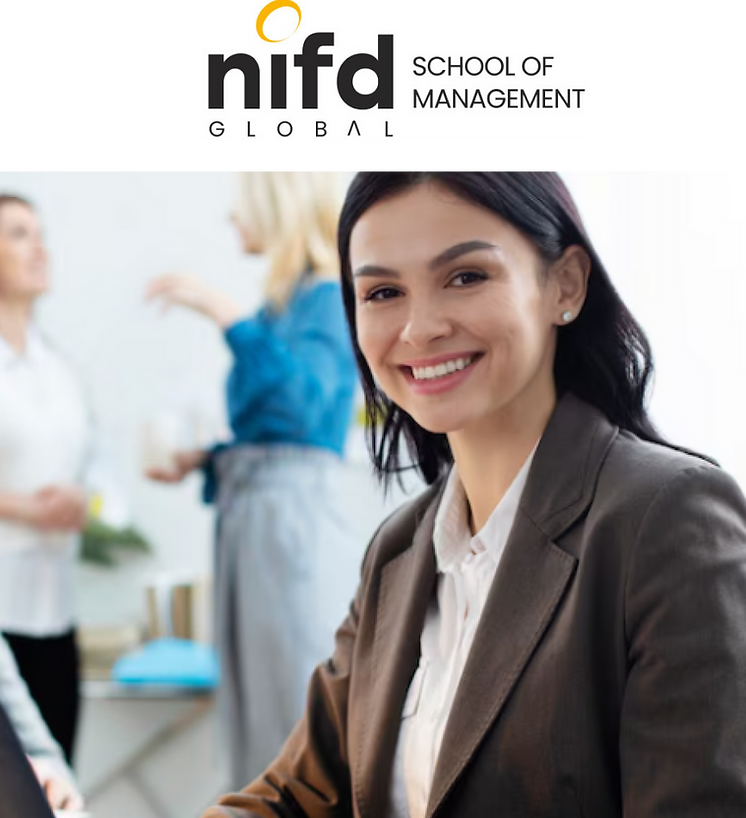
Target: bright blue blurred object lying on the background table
{"points": [[169, 661]]}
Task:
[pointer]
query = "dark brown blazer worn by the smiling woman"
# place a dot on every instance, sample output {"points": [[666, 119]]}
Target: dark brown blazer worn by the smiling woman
{"points": [[608, 673]]}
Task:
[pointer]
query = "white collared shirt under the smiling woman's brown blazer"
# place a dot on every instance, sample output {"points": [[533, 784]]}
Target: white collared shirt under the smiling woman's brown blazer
{"points": [[466, 568]]}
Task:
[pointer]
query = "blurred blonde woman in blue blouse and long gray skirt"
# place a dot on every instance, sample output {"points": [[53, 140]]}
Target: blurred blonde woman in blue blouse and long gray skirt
{"points": [[281, 545]]}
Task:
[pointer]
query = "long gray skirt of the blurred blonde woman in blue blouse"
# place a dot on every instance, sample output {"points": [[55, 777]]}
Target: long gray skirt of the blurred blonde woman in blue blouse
{"points": [[286, 570]]}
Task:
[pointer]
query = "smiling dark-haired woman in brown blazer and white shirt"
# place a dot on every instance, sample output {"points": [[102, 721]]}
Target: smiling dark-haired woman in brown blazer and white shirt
{"points": [[557, 625]]}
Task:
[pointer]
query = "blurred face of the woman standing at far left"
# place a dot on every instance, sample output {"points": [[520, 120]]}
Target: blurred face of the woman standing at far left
{"points": [[24, 271]]}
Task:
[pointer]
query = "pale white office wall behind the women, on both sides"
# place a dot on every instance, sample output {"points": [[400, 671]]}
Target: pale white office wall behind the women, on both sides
{"points": [[673, 242]]}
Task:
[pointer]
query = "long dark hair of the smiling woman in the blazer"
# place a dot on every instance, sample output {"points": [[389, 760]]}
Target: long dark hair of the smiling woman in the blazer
{"points": [[603, 356]]}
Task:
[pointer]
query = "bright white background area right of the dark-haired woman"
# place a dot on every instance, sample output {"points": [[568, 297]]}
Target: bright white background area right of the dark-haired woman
{"points": [[674, 244]]}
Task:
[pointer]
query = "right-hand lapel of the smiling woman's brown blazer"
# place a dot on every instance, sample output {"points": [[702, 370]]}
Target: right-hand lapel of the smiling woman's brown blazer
{"points": [[530, 581]]}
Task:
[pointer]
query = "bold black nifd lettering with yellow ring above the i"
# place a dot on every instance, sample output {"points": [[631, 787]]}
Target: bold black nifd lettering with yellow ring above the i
{"points": [[309, 60]]}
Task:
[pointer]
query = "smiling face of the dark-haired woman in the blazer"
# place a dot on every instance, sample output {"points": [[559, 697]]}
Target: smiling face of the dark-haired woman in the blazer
{"points": [[453, 316]]}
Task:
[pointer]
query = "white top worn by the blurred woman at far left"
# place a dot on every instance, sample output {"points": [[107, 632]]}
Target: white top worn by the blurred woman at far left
{"points": [[45, 436]]}
